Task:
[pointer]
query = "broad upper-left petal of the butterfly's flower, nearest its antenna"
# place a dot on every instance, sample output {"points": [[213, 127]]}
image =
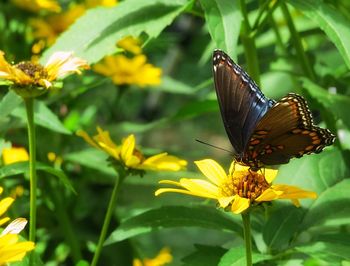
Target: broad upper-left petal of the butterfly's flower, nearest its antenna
{"points": [[212, 170]]}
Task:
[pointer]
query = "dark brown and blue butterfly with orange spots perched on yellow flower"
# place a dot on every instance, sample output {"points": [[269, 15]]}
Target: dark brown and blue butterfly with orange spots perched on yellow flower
{"points": [[263, 131]]}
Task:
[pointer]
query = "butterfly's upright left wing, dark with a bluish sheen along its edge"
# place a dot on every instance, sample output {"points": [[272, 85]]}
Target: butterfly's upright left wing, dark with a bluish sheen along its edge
{"points": [[241, 102]]}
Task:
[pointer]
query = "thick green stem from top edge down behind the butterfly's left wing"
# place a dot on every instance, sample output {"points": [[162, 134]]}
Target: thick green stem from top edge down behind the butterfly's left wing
{"points": [[248, 42]]}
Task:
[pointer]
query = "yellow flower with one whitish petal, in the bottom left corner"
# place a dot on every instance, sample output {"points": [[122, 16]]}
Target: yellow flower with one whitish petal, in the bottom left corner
{"points": [[10, 249]]}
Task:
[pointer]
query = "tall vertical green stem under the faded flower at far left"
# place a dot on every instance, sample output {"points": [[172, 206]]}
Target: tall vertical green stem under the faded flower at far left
{"points": [[29, 103]]}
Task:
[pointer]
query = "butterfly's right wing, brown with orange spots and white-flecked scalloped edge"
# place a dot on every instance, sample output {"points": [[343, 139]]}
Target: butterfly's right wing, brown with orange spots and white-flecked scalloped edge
{"points": [[286, 131]]}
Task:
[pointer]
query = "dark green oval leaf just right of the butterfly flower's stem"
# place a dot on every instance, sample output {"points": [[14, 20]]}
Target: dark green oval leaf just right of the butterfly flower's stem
{"points": [[281, 227]]}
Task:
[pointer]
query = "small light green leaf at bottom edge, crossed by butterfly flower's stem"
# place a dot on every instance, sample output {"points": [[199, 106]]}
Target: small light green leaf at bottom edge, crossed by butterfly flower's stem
{"points": [[236, 257]]}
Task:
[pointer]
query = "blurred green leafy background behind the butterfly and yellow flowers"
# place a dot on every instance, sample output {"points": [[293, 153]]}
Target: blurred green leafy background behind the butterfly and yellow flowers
{"points": [[287, 46]]}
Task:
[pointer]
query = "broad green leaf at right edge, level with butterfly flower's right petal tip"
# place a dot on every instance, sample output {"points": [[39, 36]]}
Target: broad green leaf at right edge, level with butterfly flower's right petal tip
{"points": [[332, 207]]}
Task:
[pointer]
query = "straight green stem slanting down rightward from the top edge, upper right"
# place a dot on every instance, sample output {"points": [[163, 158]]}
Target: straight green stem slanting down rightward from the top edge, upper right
{"points": [[296, 39]]}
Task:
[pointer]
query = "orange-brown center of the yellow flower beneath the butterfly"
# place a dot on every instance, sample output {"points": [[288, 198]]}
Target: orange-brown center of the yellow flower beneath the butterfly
{"points": [[248, 185]]}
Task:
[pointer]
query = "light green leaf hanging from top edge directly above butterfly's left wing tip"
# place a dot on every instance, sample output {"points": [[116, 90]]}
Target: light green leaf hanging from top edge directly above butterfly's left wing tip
{"points": [[224, 22]]}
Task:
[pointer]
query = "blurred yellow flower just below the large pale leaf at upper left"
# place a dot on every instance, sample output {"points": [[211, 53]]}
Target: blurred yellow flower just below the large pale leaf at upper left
{"points": [[123, 70]]}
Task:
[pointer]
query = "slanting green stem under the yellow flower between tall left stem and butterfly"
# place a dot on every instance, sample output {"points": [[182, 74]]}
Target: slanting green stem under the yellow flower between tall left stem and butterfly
{"points": [[107, 220]]}
